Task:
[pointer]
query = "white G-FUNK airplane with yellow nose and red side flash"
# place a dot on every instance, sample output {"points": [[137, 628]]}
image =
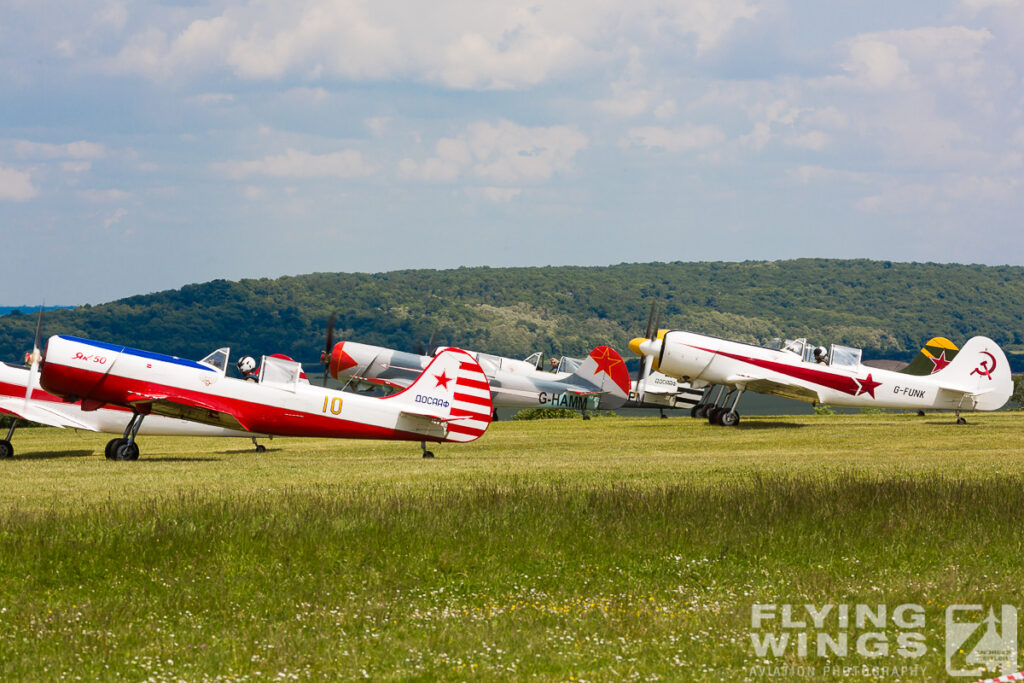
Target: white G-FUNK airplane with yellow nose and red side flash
{"points": [[977, 379]]}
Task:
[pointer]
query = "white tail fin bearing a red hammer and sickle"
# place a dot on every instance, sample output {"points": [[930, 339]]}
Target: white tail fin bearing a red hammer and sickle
{"points": [[980, 371]]}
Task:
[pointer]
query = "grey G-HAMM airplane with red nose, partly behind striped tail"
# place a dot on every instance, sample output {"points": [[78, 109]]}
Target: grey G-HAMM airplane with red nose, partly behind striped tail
{"points": [[601, 382]]}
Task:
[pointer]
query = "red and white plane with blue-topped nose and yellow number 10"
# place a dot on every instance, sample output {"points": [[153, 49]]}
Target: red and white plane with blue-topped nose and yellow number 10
{"points": [[449, 402]]}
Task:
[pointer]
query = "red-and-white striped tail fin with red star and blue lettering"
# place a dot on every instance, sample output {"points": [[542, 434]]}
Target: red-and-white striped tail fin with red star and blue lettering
{"points": [[452, 391]]}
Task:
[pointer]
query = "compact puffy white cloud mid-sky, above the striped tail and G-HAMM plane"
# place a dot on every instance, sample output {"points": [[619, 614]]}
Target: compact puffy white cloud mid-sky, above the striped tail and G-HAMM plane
{"points": [[504, 152]]}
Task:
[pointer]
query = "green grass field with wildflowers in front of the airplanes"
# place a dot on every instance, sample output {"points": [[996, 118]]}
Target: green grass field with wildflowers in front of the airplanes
{"points": [[560, 550]]}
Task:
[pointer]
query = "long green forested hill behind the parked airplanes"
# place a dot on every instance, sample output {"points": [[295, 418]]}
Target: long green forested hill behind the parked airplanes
{"points": [[888, 309]]}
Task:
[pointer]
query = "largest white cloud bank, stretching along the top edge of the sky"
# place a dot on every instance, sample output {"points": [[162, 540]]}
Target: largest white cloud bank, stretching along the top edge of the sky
{"points": [[455, 44]]}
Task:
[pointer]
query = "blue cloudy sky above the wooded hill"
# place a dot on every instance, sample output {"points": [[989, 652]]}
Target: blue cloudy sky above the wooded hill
{"points": [[145, 146]]}
